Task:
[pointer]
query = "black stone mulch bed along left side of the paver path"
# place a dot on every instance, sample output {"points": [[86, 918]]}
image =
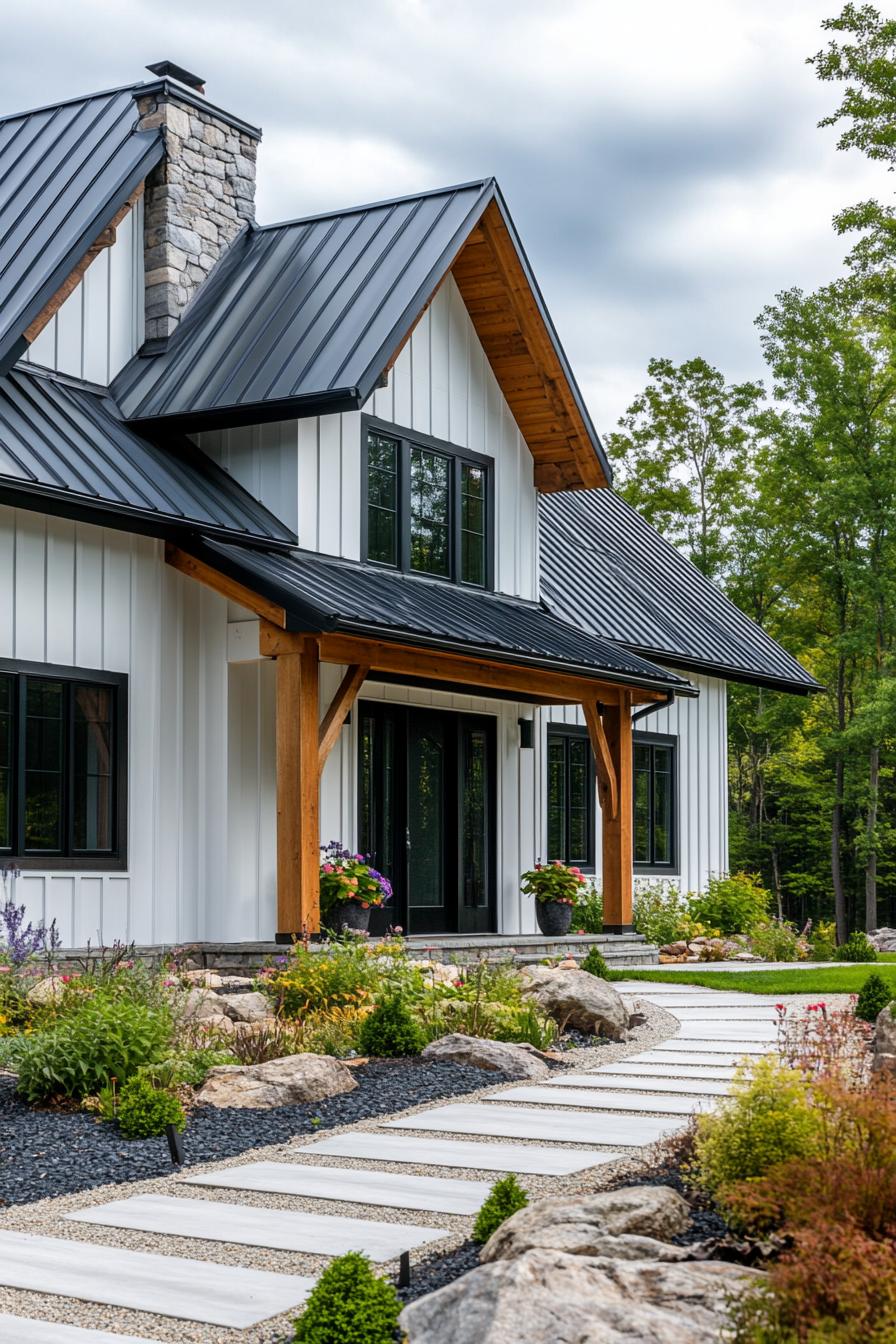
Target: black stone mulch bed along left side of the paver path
{"points": [[49, 1154]]}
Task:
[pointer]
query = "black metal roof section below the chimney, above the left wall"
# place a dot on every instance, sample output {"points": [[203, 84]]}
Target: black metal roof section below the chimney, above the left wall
{"points": [[66, 446]]}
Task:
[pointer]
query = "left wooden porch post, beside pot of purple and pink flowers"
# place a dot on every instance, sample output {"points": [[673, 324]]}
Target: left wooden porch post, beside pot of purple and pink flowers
{"points": [[298, 794]]}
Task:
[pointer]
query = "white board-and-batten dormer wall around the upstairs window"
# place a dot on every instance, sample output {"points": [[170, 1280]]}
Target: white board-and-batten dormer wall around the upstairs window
{"points": [[310, 472]]}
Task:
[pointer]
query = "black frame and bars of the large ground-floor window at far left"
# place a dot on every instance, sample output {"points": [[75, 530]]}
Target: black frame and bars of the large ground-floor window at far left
{"points": [[115, 861]]}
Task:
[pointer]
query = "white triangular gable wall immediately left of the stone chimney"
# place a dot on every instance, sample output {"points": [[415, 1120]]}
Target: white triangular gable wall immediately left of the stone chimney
{"points": [[101, 325]]}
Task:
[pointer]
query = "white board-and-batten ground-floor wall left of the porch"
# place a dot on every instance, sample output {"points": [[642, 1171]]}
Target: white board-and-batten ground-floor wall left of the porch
{"points": [[88, 597]]}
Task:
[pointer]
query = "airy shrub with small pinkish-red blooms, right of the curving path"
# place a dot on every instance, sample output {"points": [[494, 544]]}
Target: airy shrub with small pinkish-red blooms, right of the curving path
{"points": [[827, 1044]]}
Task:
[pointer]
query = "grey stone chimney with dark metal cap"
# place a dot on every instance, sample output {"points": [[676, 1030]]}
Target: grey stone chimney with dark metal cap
{"points": [[197, 201]]}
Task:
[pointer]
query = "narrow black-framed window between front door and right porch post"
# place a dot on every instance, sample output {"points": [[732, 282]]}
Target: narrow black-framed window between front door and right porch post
{"points": [[572, 796]]}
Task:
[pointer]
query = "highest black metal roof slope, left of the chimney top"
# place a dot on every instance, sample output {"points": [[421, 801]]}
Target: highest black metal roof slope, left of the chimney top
{"points": [[65, 173]]}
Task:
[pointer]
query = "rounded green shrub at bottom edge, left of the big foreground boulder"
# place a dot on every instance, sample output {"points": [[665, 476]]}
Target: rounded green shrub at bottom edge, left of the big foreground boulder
{"points": [[350, 1306]]}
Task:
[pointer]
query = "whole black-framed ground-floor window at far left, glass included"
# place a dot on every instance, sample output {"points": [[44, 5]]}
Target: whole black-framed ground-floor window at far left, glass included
{"points": [[62, 767]]}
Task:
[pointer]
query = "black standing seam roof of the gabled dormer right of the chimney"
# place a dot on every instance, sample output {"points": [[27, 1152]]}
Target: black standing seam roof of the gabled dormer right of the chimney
{"points": [[303, 318]]}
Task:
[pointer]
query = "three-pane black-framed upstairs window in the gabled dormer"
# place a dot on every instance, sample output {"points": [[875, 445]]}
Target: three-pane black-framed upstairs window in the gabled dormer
{"points": [[428, 506]]}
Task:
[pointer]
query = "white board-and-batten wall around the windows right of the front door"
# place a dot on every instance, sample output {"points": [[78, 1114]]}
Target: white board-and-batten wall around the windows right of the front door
{"points": [[702, 796]]}
